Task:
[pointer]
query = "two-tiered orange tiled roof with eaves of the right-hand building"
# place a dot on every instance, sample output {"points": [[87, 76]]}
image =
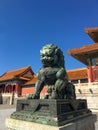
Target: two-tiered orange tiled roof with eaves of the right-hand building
{"points": [[84, 52]]}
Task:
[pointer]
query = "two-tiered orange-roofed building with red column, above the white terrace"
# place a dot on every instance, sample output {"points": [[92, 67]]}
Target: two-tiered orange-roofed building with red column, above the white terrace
{"points": [[88, 55]]}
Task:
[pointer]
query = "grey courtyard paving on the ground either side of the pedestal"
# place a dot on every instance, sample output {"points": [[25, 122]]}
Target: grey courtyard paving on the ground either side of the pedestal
{"points": [[5, 111]]}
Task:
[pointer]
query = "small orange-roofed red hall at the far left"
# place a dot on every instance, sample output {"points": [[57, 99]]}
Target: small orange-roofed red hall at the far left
{"points": [[13, 81]]}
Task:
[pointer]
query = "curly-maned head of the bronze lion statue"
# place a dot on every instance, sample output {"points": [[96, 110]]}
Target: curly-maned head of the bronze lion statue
{"points": [[51, 55]]}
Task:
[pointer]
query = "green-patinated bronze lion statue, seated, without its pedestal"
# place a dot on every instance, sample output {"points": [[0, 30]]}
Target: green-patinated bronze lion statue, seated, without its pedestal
{"points": [[53, 75]]}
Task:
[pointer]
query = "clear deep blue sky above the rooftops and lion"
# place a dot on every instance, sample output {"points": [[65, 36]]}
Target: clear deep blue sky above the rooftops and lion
{"points": [[27, 25]]}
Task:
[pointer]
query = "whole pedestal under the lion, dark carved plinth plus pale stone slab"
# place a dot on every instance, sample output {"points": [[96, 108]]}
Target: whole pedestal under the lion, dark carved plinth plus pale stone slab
{"points": [[51, 114]]}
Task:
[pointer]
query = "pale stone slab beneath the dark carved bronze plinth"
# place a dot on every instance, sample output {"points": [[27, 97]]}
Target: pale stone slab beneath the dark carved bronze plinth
{"points": [[85, 123]]}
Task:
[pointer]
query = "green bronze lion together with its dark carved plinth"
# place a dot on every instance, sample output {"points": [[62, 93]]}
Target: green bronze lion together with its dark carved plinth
{"points": [[60, 105]]}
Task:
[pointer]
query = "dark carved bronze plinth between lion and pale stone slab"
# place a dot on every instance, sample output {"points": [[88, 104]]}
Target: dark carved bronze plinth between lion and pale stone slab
{"points": [[50, 111]]}
